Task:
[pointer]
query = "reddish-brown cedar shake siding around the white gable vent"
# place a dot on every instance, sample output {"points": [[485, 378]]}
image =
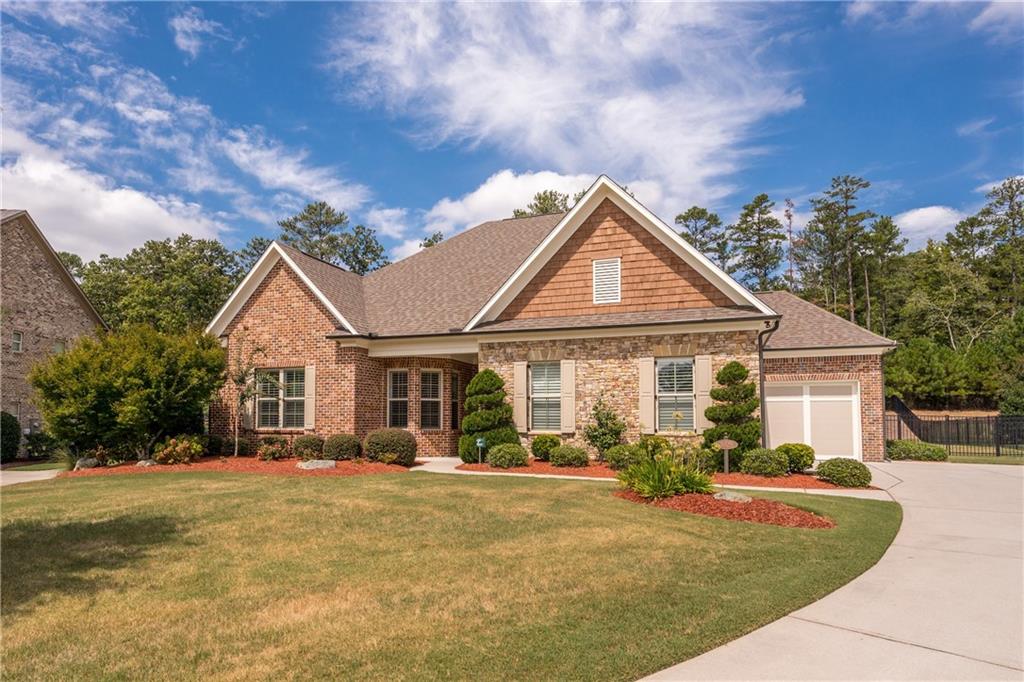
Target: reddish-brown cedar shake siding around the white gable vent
{"points": [[653, 277]]}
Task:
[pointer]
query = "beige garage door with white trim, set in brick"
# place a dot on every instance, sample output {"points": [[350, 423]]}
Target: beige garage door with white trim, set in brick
{"points": [[825, 415]]}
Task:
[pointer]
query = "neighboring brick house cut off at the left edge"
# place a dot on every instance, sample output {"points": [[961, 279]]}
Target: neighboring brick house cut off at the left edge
{"points": [[44, 311]]}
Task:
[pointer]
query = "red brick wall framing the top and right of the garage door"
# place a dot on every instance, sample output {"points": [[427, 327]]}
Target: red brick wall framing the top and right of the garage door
{"points": [[865, 369]]}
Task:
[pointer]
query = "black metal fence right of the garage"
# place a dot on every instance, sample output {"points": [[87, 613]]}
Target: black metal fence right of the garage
{"points": [[962, 437]]}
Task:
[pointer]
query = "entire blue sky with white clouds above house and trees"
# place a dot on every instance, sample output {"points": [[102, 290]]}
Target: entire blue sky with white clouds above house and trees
{"points": [[127, 122]]}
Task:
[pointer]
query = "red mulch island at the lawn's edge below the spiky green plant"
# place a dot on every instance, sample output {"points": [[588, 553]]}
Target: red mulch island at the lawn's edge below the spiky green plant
{"points": [[757, 511]]}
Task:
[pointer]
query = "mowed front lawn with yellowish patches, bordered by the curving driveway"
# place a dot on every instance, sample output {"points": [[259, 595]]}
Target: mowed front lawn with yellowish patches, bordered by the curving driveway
{"points": [[396, 577]]}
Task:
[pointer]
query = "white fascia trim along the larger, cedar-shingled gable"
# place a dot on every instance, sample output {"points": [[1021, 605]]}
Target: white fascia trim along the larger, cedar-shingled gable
{"points": [[606, 188]]}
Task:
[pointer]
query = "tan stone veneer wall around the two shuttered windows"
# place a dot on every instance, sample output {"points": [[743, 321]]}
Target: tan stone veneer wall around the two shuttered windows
{"points": [[609, 366]]}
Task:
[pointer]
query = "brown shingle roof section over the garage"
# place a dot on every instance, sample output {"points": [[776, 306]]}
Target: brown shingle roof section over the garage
{"points": [[806, 326]]}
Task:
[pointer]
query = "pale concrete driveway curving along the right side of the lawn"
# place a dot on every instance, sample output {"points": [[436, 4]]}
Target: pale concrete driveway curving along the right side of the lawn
{"points": [[946, 603]]}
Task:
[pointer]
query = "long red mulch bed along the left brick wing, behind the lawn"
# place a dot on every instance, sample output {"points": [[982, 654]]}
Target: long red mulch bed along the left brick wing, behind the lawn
{"points": [[247, 465]]}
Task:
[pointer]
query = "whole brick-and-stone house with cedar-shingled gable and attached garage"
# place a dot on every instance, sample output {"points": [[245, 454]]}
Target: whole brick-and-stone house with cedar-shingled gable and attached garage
{"points": [[605, 301]]}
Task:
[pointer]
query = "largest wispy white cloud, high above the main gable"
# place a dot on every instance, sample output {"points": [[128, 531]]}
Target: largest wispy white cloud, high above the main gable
{"points": [[672, 94]]}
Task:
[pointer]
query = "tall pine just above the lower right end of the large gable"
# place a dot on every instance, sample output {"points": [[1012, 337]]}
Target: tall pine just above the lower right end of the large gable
{"points": [[758, 238]]}
